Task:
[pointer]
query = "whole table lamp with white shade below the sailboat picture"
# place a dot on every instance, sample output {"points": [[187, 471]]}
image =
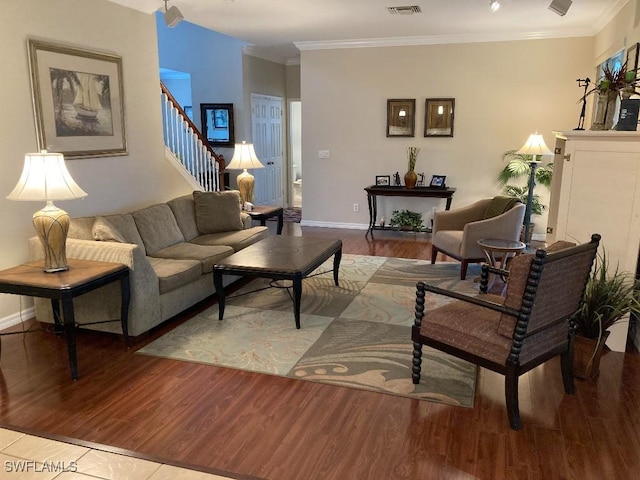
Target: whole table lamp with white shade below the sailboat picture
{"points": [[45, 177]]}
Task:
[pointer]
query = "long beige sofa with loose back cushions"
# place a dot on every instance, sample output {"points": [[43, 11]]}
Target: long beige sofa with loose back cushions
{"points": [[170, 249]]}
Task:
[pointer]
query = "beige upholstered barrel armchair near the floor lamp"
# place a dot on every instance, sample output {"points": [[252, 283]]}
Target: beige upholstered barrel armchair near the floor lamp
{"points": [[456, 232]]}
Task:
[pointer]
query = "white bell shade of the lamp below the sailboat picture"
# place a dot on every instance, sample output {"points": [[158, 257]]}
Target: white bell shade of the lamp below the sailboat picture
{"points": [[45, 177]]}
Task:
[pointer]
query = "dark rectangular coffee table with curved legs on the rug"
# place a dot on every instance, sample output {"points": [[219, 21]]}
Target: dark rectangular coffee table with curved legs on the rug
{"points": [[279, 258]]}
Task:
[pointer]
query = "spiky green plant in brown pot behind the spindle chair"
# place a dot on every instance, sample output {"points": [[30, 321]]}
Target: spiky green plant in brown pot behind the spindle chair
{"points": [[609, 296]]}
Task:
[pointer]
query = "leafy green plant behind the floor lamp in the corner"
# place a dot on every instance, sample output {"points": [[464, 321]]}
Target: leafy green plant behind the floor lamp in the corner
{"points": [[518, 168]]}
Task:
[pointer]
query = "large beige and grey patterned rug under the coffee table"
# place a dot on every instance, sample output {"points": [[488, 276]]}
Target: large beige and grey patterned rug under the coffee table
{"points": [[356, 335]]}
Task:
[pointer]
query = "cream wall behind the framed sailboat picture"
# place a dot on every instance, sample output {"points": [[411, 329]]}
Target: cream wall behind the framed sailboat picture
{"points": [[113, 183]]}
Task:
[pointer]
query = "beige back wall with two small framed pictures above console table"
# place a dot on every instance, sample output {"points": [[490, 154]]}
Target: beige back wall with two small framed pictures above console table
{"points": [[503, 92]]}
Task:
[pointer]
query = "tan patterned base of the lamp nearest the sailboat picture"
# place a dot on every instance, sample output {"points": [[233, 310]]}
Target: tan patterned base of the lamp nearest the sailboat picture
{"points": [[52, 225]]}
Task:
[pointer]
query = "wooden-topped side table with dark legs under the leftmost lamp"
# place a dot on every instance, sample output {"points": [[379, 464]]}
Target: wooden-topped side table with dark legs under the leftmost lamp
{"points": [[62, 287]]}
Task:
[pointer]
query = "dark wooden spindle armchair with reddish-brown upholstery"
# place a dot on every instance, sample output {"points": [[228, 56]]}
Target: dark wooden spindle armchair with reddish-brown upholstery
{"points": [[513, 334]]}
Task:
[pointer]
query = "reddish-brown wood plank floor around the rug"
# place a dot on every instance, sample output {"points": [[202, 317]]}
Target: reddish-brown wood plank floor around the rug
{"points": [[284, 429]]}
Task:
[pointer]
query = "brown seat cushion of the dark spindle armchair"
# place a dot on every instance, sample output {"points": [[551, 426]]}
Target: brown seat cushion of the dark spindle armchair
{"points": [[468, 327]]}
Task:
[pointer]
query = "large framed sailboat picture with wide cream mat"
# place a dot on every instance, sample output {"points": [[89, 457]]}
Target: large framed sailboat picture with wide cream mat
{"points": [[78, 100]]}
